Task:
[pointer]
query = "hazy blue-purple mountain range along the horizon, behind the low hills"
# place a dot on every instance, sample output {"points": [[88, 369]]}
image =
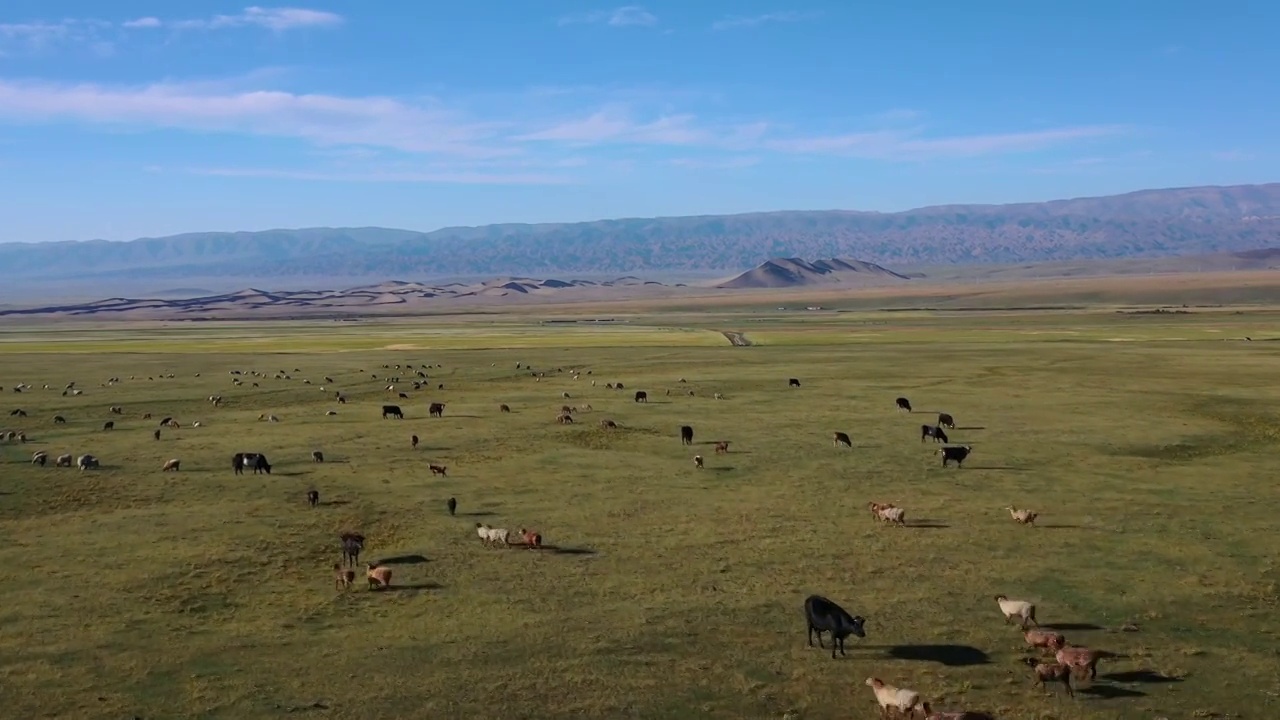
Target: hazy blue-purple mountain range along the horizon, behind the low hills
{"points": [[1140, 225]]}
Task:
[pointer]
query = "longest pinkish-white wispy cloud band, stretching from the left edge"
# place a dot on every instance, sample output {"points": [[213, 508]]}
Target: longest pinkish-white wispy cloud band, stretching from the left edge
{"points": [[374, 139]]}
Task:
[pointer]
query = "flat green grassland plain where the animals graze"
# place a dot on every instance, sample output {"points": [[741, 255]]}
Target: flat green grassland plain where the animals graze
{"points": [[1148, 444]]}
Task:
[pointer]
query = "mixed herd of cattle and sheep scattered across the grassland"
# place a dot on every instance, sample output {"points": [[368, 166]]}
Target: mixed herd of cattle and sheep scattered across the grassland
{"points": [[822, 614]]}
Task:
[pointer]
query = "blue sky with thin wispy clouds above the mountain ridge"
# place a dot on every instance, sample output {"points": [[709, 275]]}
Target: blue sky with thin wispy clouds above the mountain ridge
{"points": [[124, 119]]}
